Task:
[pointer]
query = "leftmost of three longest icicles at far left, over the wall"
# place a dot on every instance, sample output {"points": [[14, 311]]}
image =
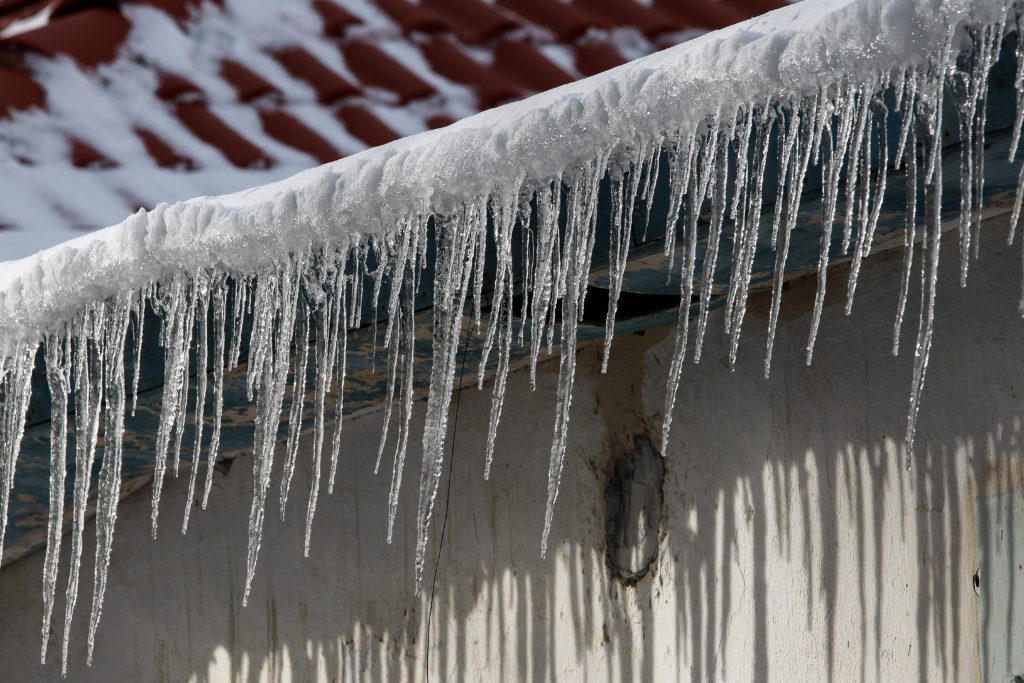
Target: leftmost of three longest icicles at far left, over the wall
{"points": [[59, 380]]}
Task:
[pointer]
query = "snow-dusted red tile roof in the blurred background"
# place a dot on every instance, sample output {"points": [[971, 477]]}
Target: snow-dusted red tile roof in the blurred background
{"points": [[217, 89]]}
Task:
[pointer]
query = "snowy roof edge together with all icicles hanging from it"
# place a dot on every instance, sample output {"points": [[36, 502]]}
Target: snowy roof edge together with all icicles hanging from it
{"points": [[806, 90]]}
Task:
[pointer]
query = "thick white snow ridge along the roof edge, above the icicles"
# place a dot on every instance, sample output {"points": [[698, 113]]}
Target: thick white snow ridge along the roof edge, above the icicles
{"points": [[796, 50]]}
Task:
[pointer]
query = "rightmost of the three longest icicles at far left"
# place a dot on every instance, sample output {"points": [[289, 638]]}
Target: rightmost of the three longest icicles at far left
{"points": [[109, 493]]}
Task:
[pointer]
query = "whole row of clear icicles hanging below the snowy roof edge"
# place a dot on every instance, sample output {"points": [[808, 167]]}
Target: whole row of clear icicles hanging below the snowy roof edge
{"points": [[302, 310]]}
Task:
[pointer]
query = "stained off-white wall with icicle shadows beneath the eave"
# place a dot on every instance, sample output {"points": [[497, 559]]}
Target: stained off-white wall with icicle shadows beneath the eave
{"points": [[794, 544]]}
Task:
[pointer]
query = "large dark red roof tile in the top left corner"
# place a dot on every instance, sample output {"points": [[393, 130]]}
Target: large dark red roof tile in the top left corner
{"points": [[92, 37]]}
